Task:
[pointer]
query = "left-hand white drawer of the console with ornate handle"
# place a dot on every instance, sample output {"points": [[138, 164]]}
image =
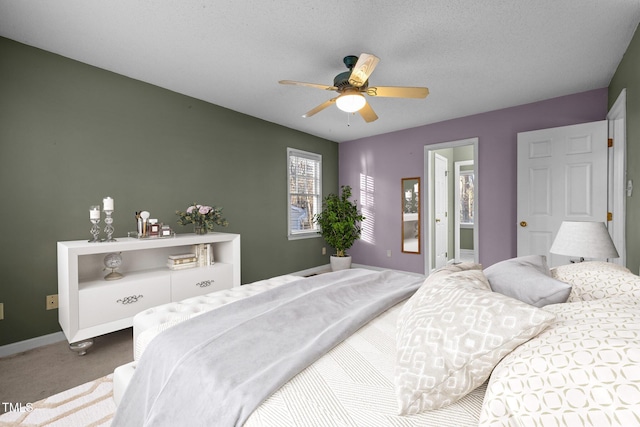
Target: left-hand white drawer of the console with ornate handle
{"points": [[115, 300]]}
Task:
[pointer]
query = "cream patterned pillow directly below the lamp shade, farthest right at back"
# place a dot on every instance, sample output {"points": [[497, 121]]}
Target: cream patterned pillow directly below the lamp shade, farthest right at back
{"points": [[592, 280]]}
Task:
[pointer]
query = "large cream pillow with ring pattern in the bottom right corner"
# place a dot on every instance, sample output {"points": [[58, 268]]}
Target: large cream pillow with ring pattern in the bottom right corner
{"points": [[584, 370]]}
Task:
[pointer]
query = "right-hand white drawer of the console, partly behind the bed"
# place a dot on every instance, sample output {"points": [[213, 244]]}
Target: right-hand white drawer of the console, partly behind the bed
{"points": [[200, 280]]}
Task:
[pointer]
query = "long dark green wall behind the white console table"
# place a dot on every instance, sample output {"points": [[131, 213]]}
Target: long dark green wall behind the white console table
{"points": [[71, 134]]}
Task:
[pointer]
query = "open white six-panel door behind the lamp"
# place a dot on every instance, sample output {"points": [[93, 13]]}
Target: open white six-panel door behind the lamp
{"points": [[562, 175]]}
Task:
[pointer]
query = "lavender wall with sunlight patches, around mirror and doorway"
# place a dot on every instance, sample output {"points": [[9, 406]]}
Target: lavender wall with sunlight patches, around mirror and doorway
{"points": [[374, 166]]}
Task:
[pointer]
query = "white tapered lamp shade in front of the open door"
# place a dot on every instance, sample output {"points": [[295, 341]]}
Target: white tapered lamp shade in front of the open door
{"points": [[585, 239]]}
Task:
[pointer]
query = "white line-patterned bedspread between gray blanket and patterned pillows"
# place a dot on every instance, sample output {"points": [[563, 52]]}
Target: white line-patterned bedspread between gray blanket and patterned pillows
{"points": [[352, 385]]}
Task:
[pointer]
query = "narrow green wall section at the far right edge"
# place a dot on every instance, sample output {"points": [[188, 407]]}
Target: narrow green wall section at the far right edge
{"points": [[628, 76]]}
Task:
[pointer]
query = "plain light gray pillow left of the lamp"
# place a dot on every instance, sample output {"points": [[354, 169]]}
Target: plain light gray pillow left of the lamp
{"points": [[527, 279]]}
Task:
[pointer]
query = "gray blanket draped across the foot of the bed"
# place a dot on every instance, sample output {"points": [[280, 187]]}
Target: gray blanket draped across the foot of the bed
{"points": [[216, 368]]}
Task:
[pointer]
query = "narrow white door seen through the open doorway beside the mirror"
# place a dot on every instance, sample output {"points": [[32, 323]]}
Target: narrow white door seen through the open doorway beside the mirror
{"points": [[440, 202]]}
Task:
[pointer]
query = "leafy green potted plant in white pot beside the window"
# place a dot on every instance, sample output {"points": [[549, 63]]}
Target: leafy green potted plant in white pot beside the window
{"points": [[339, 224]]}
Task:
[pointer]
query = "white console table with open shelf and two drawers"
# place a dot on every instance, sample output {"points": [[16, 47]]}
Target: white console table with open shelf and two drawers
{"points": [[89, 305]]}
